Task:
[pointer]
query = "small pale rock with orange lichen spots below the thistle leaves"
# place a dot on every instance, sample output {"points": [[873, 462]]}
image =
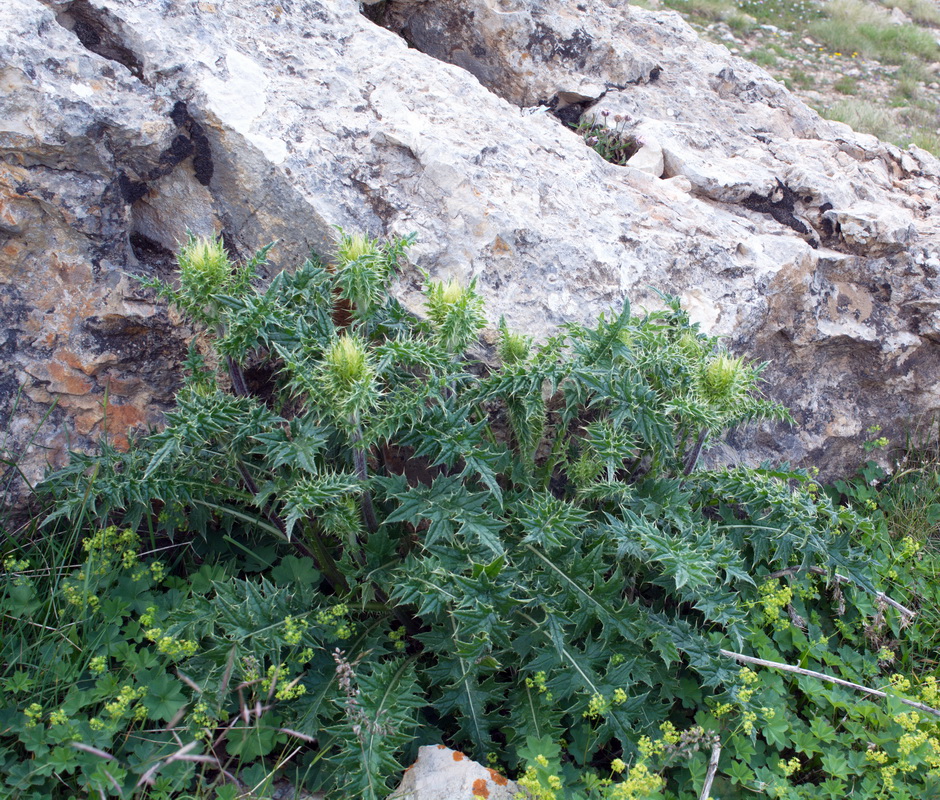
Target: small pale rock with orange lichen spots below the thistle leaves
{"points": [[444, 774]]}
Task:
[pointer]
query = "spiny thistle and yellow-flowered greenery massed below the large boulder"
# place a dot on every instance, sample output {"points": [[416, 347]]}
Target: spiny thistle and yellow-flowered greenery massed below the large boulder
{"points": [[393, 546]]}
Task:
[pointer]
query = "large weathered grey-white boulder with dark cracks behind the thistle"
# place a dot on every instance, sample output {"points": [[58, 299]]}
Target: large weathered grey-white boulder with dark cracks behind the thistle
{"points": [[125, 123]]}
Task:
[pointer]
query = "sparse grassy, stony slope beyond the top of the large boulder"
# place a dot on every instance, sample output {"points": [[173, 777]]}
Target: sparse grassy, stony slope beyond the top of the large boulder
{"points": [[825, 51]]}
